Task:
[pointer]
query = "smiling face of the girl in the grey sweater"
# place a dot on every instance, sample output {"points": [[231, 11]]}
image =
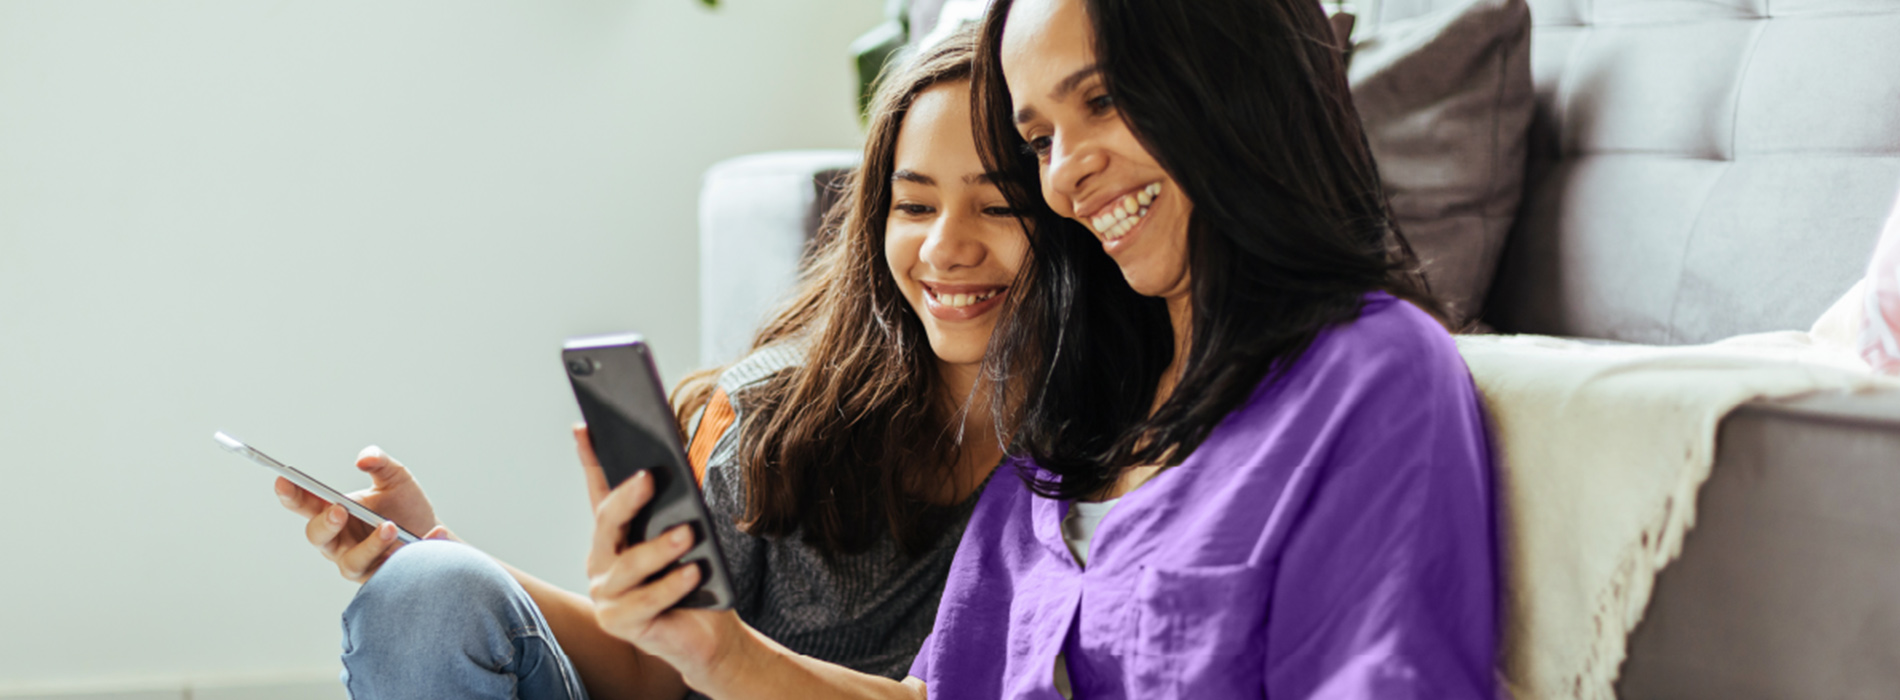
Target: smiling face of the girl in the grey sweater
{"points": [[951, 239]]}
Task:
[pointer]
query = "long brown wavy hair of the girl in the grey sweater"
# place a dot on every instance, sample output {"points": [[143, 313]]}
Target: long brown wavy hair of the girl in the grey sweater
{"points": [[856, 440]]}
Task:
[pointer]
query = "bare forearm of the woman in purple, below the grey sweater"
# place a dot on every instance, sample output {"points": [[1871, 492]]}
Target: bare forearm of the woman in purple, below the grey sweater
{"points": [[763, 669]]}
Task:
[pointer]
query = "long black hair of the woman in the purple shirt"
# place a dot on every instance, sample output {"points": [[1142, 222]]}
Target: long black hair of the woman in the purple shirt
{"points": [[1247, 107]]}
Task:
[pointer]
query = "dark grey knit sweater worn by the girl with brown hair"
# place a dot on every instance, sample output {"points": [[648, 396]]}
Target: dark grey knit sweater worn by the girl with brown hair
{"points": [[867, 612]]}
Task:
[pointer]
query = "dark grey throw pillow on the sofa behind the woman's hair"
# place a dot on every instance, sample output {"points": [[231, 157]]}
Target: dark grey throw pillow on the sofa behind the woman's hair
{"points": [[1447, 102]]}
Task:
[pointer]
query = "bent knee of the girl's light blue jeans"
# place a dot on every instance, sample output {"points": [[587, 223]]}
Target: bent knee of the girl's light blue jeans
{"points": [[444, 621]]}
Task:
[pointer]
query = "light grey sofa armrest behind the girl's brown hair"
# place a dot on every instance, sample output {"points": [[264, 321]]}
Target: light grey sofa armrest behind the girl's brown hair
{"points": [[757, 216]]}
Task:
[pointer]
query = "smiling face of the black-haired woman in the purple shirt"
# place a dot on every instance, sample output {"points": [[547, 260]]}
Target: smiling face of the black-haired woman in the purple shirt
{"points": [[1092, 165]]}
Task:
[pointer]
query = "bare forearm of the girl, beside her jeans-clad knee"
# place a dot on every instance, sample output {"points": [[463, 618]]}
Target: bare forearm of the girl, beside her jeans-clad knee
{"points": [[609, 667]]}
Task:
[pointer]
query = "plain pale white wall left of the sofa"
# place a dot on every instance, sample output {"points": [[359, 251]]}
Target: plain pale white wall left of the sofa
{"points": [[322, 225]]}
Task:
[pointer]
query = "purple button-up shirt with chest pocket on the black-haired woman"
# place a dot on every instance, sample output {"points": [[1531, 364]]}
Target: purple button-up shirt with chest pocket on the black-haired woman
{"points": [[1335, 537]]}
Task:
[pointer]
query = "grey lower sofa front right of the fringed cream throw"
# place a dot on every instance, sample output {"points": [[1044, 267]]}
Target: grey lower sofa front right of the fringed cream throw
{"points": [[1789, 587]]}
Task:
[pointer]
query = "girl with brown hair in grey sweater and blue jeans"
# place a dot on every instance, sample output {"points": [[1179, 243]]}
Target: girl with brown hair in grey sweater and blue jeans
{"points": [[841, 457]]}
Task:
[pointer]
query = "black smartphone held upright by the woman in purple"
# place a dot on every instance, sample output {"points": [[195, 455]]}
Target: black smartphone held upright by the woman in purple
{"points": [[634, 431]]}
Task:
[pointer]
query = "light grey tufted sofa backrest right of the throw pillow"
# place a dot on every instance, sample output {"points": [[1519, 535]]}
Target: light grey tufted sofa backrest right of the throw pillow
{"points": [[1700, 168]]}
